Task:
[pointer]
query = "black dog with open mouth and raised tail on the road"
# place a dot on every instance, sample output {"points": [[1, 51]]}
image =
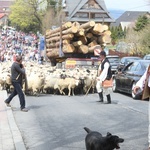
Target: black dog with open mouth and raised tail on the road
{"points": [[95, 141]]}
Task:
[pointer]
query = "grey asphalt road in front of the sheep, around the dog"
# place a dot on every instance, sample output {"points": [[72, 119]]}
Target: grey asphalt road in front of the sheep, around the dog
{"points": [[56, 122]]}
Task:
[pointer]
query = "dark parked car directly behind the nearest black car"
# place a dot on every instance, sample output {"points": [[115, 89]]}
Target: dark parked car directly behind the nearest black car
{"points": [[125, 61]]}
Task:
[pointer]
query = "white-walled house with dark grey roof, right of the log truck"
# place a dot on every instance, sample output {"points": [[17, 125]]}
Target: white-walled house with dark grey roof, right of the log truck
{"points": [[128, 19]]}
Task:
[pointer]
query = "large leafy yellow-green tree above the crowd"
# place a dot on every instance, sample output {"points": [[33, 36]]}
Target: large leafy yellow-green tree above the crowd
{"points": [[26, 15]]}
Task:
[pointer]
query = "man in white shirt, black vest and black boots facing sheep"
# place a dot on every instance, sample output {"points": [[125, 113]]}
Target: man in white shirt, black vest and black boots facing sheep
{"points": [[104, 73]]}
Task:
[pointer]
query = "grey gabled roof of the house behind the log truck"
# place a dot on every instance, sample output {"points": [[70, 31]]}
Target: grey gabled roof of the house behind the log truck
{"points": [[81, 6]]}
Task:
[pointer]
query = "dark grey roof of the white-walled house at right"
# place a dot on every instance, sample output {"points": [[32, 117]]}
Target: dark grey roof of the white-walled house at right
{"points": [[129, 16]]}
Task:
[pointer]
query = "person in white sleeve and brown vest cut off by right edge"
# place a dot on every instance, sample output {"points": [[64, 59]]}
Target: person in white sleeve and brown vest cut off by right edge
{"points": [[144, 85]]}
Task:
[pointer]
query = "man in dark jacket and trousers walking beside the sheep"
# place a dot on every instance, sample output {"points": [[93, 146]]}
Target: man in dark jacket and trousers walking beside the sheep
{"points": [[17, 73]]}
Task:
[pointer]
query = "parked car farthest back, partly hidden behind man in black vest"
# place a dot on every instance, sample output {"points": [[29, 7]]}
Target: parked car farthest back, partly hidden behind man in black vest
{"points": [[114, 62]]}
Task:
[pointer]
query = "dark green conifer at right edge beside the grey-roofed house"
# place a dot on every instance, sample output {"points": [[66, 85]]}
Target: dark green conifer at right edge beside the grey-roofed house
{"points": [[141, 23]]}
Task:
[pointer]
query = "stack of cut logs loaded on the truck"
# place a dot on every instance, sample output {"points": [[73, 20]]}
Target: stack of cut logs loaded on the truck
{"points": [[76, 38]]}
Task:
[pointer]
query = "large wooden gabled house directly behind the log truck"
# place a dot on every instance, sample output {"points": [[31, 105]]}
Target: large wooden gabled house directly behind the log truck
{"points": [[83, 11]]}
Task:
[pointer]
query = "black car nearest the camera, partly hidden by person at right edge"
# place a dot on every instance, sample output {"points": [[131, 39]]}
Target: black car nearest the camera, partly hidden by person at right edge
{"points": [[125, 80]]}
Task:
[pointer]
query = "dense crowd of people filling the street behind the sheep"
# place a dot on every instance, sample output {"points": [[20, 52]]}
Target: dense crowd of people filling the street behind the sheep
{"points": [[14, 43]]}
